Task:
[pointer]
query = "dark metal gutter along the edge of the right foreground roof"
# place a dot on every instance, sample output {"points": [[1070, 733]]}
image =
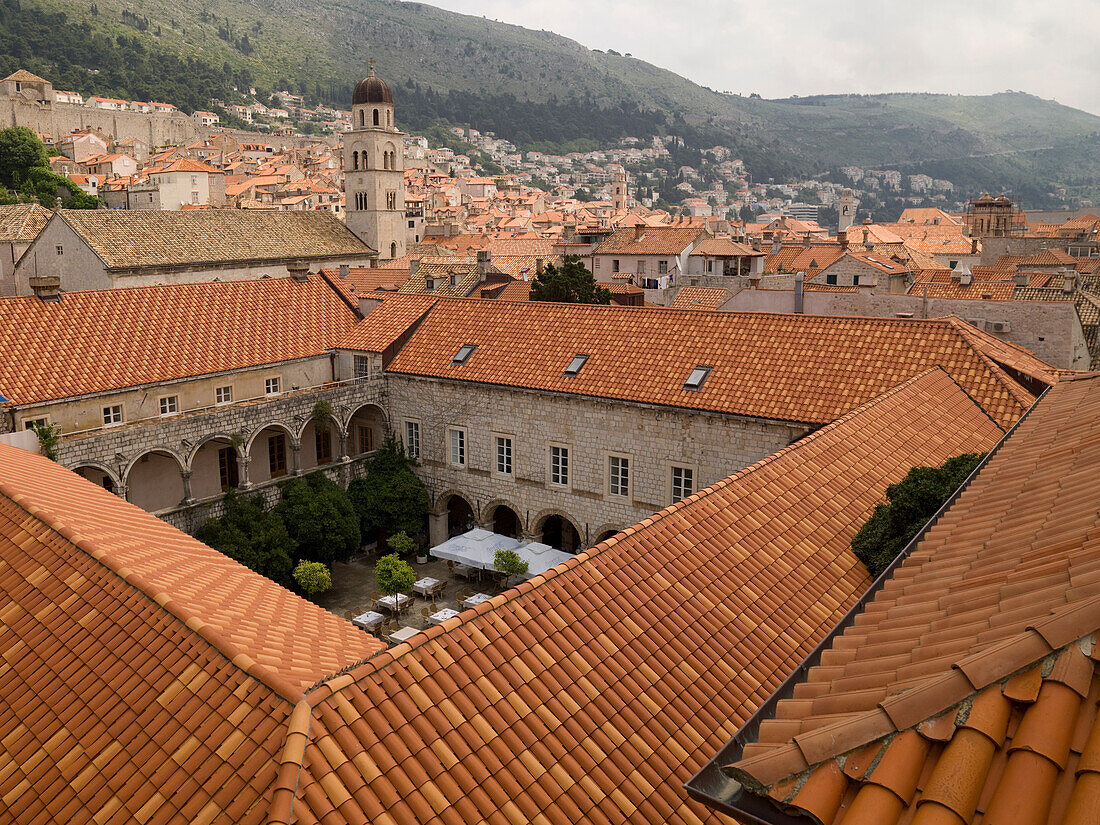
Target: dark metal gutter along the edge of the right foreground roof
{"points": [[711, 785]]}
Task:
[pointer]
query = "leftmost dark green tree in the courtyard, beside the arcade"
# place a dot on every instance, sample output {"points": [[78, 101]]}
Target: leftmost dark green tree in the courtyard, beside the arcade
{"points": [[254, 536]]}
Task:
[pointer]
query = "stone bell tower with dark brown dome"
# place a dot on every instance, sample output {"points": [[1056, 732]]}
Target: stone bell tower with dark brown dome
{"points": [[375, 170]]}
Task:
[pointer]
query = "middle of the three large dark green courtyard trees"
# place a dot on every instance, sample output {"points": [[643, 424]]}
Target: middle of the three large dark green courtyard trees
{"points": [[321, 519]]}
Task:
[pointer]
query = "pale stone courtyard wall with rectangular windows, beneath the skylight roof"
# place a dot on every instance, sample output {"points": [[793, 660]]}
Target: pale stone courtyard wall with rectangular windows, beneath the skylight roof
{"points": [[655, 439]]}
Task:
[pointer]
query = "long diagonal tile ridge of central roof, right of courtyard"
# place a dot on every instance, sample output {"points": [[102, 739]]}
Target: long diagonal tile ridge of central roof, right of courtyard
{"points": [[383, 658]]}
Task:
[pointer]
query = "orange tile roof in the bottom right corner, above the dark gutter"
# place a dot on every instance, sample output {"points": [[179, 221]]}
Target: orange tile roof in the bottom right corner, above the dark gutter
{"points": [[966, 689]]}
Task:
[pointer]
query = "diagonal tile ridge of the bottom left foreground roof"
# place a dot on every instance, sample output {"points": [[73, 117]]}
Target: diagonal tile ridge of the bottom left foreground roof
{"points": [[237, 657]]}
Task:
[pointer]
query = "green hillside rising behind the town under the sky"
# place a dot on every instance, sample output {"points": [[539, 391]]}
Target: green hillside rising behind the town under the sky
{"points": [[538, 89]]}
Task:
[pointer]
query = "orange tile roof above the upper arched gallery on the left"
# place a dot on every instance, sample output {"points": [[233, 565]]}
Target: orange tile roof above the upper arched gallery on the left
{"points": [[122, 338]]}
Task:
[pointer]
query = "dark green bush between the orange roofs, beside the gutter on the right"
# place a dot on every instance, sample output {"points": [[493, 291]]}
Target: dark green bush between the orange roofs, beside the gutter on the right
{"points": [[911, 503]]}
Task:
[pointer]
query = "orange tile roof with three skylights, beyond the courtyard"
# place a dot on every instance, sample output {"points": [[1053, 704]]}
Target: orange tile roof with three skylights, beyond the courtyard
{"points": [[790, 368]]}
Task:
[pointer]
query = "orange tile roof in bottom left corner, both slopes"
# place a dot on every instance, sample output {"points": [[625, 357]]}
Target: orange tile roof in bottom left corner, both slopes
{"points": [[147, 678]]}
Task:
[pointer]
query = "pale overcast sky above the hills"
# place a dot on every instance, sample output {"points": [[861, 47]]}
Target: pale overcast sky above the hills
{"points": [[809, 48]]}
